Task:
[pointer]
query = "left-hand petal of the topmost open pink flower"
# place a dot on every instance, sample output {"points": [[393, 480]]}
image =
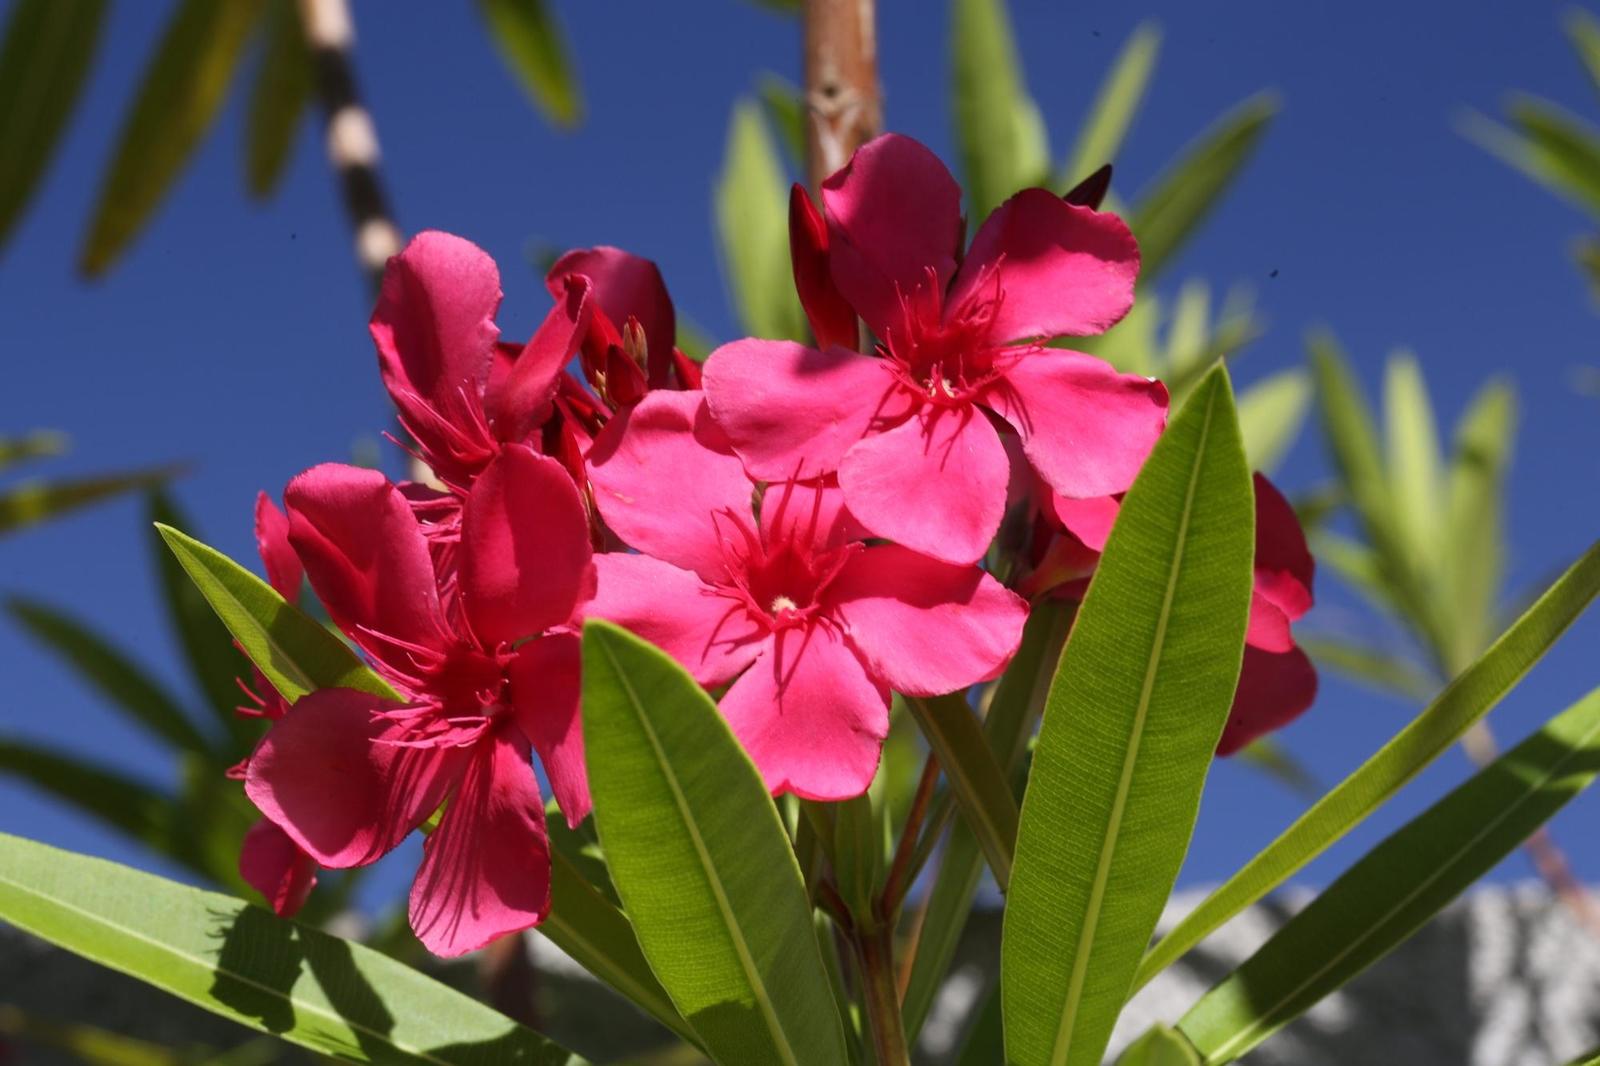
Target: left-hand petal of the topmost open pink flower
{"points": [[793, 412]]}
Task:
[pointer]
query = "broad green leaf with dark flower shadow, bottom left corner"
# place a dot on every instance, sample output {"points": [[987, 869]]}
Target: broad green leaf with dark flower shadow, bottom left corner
{"points": [[329, 995]]}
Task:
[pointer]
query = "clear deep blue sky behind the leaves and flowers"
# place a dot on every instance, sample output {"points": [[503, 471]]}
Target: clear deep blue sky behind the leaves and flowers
{"points": [[234, 334]]}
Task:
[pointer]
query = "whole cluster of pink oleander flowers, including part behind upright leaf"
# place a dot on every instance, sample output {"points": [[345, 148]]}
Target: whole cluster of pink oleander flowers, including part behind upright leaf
{"points": [[806, 529]]}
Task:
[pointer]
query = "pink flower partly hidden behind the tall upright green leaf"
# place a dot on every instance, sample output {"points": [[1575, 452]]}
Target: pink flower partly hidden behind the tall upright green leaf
{"points": [[1278, 681]]}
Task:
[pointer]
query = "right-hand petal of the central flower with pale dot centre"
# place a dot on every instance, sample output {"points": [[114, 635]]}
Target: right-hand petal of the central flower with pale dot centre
{"points": [[926, 627]]}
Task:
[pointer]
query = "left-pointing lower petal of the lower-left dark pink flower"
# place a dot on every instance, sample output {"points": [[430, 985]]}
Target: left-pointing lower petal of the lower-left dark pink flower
{"points": [[334, 779]]}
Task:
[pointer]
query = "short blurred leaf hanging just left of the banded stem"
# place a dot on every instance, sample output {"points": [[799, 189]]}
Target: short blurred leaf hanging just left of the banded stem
{"points": [[278, 100]]}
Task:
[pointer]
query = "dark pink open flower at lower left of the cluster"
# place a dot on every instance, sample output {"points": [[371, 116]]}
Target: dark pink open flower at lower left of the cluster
{"points": [[487, 659]]}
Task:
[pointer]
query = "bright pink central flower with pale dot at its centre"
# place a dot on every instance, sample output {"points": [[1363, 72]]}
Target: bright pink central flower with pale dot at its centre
{"points": [[775, 591]]}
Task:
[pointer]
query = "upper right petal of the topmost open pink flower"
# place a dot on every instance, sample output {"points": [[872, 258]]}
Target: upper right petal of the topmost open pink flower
{"points": [[1063, 270]]}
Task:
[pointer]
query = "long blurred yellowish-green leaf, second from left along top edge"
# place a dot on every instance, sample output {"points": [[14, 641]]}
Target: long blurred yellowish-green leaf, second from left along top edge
{"points": [[177, 103]]}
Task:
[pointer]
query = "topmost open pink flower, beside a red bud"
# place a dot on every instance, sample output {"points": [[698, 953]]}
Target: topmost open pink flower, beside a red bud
{"points": [[913, 430]]}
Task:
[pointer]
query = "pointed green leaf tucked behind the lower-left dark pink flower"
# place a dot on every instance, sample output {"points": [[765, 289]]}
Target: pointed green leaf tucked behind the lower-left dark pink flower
{"points": [[292, 649]]}
